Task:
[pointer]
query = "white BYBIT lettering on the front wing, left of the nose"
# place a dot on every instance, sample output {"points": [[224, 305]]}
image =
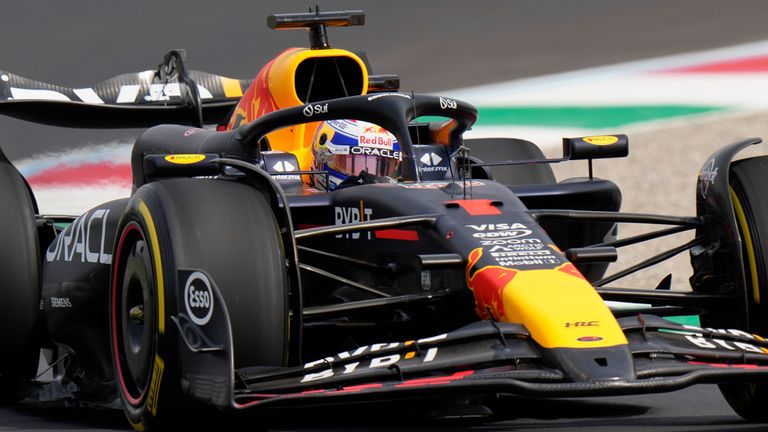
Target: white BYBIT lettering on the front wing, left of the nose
{"points": [[374, 362]]}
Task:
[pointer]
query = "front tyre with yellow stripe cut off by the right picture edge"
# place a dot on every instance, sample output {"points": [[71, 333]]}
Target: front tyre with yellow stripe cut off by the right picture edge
{"points": [[749, 180]]}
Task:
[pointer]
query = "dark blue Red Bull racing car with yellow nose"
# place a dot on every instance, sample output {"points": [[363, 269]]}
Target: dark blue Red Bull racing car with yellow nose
{"points": [[337, 240]]}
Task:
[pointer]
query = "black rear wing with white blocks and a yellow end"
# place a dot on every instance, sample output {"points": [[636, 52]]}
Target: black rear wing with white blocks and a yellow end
{"points": [[168, 94]]}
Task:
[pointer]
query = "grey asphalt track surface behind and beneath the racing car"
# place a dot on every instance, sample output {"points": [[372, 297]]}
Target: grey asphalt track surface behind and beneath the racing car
{"points": [[433, 46]]}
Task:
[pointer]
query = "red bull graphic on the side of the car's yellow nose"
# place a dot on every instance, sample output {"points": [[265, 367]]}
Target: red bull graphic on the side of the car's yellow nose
{"points": [[487, 285]]}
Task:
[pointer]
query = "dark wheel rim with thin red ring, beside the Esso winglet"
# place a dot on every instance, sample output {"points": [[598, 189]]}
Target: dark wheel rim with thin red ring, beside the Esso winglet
{"points": [[133, 314]]}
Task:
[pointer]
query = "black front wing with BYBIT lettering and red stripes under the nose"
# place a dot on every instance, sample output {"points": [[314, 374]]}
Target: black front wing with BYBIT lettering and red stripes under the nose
{"points": [[488, 357]]}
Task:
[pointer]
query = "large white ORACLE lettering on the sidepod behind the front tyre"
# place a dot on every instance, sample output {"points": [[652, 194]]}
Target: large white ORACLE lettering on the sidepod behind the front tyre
{"points": [[83, 240]]}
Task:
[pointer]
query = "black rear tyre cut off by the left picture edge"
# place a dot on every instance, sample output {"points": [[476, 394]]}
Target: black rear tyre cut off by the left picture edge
{"points": [[20, 286]]}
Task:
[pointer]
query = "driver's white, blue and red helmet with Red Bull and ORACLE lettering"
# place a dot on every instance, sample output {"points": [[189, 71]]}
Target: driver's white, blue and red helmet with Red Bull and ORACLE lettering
{"points": [[354, 152]]}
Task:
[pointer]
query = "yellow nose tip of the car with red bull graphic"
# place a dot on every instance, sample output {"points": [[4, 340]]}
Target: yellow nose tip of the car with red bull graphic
{"points": [[558, 306]]}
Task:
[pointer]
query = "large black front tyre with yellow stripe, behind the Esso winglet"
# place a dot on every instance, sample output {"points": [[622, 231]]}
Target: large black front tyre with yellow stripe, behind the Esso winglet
{"points": [[223, 228]]}
